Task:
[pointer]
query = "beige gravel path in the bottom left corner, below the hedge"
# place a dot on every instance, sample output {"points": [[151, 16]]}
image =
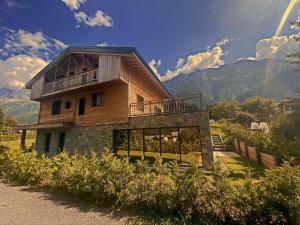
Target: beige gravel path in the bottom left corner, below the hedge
{"points": [[33, 206]]}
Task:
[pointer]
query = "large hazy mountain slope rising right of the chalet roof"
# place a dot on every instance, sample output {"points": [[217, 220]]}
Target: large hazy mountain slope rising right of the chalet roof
{"points": [[239, 80]]}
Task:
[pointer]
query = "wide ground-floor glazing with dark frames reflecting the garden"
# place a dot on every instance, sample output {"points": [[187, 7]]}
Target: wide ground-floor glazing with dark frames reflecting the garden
{"points": [[178, 143]]}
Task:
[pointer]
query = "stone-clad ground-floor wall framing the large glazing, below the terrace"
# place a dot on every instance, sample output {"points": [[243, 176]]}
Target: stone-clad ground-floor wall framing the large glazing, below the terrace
{"points": [[87, 138]]}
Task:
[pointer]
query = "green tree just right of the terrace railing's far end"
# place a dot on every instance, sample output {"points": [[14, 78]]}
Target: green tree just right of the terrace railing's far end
{"points": [[225, 109]]}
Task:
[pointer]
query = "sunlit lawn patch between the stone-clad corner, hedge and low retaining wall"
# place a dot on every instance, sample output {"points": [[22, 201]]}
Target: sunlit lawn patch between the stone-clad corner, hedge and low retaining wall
{"points": [[240, 168]]}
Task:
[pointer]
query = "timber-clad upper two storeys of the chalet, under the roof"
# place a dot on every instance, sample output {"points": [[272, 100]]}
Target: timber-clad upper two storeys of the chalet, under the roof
{"points": [[120, 79]]}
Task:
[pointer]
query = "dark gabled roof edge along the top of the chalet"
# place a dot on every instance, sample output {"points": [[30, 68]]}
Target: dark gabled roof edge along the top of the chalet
{"points": [[95, 49]]}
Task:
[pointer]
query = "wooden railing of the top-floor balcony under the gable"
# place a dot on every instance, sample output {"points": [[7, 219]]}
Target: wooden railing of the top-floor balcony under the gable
{"points": [[73, 81]]}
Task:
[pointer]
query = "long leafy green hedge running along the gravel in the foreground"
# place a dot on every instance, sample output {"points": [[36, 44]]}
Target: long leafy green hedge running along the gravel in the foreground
{"points": [[162, 190]]}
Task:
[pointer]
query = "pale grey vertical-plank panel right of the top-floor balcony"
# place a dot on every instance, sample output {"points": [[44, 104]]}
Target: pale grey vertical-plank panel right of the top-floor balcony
{"points": [[109, 68]]}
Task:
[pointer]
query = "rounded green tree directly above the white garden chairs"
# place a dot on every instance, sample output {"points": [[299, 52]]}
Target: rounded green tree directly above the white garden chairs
{"points": [[260, 107]]}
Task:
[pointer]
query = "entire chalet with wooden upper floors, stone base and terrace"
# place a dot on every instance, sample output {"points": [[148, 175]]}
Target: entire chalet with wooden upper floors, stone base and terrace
{"points": [[89, 94]]}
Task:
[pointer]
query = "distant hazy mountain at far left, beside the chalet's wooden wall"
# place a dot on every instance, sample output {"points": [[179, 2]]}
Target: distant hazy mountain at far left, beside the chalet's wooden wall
{"points": [[24, 111]]}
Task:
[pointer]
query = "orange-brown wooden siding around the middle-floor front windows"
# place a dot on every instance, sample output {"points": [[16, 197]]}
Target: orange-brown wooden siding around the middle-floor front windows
{"points": [[114, 109]]}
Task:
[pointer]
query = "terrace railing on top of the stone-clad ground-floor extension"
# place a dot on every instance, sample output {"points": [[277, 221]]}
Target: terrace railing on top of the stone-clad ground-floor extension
{"points": [[168, 106]]}
